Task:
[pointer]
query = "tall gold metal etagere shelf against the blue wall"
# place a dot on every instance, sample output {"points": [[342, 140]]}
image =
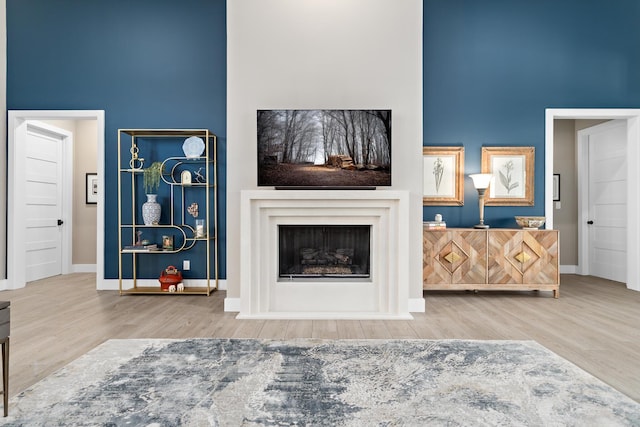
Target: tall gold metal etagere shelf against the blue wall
{"points": [[135, 151]]}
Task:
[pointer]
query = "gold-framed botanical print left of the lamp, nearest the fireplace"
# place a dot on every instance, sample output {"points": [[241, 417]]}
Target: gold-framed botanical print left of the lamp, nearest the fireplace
{"points": [[443, 176]]}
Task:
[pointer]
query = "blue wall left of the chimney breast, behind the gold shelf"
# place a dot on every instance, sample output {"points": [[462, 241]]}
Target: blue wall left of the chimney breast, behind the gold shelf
{"points": [[147, 63]]}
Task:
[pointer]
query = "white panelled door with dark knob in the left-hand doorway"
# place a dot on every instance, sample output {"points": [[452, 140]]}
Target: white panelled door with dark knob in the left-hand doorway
{"points": [[43, 204]]}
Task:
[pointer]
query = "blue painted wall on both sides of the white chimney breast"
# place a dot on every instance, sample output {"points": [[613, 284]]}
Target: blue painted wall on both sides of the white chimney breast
{"points": [[490, 69]]}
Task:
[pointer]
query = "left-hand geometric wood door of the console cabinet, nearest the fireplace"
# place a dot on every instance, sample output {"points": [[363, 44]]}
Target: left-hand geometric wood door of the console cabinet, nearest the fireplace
{"points": [[454, 258]]}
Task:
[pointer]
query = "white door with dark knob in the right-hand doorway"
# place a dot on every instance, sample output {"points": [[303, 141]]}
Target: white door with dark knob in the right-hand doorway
{"points": [[607, 217]]}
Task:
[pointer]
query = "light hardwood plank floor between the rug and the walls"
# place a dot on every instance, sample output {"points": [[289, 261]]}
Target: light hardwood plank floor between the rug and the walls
{"points": [[595, 324]]}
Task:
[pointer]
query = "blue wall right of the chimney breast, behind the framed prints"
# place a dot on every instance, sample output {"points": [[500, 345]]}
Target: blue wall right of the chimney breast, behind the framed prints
{"points": [[492, 67]]}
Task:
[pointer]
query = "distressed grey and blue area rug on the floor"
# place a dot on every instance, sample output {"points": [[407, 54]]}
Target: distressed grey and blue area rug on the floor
{"points": [[239, 382]]}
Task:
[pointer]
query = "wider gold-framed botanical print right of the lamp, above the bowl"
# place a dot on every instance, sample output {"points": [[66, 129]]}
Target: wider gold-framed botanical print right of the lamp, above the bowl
{"points": [[512, 169]]}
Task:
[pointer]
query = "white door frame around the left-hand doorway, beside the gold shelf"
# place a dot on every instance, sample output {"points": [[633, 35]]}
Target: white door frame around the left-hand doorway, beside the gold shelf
{"points": [[16, 263]]}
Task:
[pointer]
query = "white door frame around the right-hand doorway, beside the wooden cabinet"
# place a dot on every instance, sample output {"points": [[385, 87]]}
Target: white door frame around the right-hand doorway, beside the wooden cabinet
{"points": [[632, 116]]}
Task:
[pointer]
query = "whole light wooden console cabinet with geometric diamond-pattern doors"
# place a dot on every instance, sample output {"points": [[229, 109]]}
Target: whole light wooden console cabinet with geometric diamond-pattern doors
{"points": [[492, 259]]}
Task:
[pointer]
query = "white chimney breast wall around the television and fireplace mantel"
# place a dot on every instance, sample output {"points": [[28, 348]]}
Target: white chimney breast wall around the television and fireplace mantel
{"points": [[324, 54]]}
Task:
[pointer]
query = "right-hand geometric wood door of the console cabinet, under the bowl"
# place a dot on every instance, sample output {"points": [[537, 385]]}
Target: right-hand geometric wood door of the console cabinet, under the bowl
{"points": [[524, 257]]}
